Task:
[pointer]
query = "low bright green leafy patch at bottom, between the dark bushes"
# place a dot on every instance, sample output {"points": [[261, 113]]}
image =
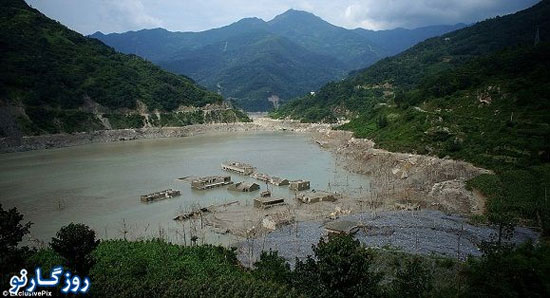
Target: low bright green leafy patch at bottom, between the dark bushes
{"points": [[155, 268]]}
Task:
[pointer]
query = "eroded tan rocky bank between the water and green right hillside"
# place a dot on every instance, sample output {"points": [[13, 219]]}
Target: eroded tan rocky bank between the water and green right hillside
{"points": [[407, 178]]}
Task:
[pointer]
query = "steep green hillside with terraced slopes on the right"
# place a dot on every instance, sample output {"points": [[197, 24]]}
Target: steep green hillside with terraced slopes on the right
{"points": [[479, 94]]}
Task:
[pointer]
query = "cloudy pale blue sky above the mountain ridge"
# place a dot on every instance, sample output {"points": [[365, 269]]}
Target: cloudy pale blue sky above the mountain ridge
{"points": [[89, 16]]}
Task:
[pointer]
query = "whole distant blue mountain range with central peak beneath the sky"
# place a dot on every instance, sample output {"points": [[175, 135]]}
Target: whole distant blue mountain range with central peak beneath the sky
{"points": [[252, 60]]}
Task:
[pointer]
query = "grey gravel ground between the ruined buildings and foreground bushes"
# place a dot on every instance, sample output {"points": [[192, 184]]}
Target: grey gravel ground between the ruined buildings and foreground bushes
{"points": [[422, 232]]}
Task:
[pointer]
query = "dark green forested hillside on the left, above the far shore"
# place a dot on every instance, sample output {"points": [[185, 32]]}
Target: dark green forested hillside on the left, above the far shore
{"points": [[52, 78]]}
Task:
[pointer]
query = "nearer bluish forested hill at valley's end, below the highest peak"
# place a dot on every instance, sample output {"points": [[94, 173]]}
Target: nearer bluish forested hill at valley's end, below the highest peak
{"points": [[256, 66]]}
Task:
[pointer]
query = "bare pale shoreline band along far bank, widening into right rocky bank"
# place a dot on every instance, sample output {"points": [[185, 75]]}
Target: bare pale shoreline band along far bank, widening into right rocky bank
{"points": [[400, 181]]}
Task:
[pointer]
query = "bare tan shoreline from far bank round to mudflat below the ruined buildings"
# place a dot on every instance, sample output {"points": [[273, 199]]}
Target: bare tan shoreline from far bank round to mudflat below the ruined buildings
{"points": [[399, 182]]}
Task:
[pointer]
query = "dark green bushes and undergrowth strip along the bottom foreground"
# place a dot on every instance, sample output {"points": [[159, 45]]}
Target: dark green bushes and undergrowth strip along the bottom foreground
{"points": [[340, 267]]}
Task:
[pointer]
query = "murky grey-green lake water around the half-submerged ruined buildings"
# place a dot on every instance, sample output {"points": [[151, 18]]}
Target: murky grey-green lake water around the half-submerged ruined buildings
{"points": [[100, 184]]}
